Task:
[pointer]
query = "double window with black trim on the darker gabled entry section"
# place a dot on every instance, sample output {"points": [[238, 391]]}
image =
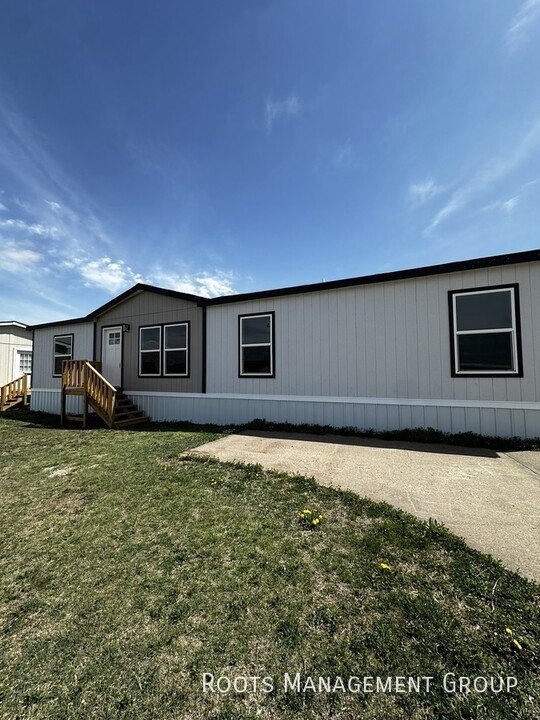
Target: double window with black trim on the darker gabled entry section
{"points": [[163, 350]]}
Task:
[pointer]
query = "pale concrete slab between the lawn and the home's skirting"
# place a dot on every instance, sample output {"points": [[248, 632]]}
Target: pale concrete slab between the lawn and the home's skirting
{"points": [[490, 499]]}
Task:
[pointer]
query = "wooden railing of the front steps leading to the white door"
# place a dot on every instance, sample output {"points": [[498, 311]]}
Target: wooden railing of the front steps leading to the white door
{"points": [[82, 377]]}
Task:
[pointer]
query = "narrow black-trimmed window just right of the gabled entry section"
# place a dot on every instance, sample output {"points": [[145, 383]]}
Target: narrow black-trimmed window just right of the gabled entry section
{"points": [[256, 337]]}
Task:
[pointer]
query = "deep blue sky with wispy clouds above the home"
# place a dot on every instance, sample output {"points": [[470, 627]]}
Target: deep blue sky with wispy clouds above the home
{"points": [[241, 145]]}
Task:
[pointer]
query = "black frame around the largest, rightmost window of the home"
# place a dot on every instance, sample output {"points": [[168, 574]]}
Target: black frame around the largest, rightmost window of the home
{"points": [[515, 332]]}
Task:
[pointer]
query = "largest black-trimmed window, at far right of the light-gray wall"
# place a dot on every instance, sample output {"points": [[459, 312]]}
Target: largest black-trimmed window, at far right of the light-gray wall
{"points": [[485, 332]]}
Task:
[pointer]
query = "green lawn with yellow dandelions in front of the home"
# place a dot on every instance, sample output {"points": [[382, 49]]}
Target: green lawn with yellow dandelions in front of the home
{"points": [[128, 571]]}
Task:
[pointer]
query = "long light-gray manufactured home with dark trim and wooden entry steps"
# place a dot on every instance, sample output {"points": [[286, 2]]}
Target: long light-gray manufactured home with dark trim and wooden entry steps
{"points": [[454, 347]]}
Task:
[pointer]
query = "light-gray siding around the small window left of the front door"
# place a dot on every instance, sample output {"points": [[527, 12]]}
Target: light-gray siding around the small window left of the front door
{"points": [[43, 354]]}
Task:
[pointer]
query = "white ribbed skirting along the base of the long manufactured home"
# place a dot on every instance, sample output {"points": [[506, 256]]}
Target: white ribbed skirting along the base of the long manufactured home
{"points": [[505, 419]]}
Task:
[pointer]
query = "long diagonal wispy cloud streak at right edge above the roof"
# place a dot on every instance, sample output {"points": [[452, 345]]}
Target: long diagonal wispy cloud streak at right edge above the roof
{"points": [[486, 177]]}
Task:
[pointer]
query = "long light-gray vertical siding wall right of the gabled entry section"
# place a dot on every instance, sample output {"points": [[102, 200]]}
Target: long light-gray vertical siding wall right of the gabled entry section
{"points": [[382, 340]]}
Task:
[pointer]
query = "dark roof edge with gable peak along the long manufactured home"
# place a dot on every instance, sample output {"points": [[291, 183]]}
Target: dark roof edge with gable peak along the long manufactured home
{"points": [[460, 266]]}
